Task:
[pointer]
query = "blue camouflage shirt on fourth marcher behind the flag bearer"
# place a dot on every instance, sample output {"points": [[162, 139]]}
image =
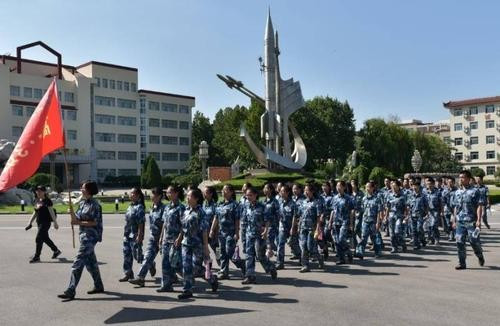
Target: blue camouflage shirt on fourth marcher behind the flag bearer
{"points": [[194, 223]]}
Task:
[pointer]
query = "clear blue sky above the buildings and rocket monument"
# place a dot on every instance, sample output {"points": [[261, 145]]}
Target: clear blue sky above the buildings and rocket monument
{"points": [[385, 57]]}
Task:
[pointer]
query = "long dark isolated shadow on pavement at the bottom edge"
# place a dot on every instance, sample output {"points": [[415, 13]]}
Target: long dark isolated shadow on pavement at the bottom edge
{"points": [[130, 314]]}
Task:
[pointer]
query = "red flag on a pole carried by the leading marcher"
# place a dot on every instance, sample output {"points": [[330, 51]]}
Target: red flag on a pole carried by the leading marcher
{"points": [[42, 135]]}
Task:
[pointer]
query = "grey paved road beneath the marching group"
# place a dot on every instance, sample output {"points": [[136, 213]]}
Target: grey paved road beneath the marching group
{"points": [[404, 289]]}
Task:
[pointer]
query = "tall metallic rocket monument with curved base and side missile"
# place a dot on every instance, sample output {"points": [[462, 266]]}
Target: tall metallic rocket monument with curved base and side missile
{"points": [[282, 98]]}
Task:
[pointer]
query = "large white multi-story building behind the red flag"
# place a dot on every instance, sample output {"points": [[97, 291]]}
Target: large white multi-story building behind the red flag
{"points": [[111, 125]]}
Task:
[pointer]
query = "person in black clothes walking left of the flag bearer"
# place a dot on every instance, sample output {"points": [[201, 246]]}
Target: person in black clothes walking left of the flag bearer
{"points": [[44, 214]]}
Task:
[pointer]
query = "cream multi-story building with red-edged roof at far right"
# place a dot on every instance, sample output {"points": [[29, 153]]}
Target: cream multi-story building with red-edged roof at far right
{"points": [[475, 130]]}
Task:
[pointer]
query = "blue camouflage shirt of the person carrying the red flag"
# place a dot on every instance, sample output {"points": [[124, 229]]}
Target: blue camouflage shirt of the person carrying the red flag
{"points": [[90, 210]]}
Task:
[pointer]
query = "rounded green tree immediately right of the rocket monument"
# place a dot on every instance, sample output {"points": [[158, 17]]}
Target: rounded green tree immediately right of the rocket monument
{"points": [[327, 127]]}
